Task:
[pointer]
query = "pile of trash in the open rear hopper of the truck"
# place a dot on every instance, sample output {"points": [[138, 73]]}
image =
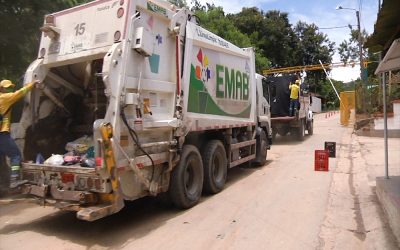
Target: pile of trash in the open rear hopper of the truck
{"points": [[79, 153]]}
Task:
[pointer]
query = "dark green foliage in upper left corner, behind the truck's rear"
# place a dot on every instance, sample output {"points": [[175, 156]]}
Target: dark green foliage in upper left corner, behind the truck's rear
{"points": [[20, 35]]}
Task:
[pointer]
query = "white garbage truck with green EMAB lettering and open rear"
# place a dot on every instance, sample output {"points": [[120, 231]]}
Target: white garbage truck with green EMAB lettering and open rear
{"points": [[162, 105]]}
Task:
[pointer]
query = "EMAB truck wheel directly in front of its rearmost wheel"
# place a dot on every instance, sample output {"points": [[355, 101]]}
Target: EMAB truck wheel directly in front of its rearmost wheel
{"points": [[215, 166]]}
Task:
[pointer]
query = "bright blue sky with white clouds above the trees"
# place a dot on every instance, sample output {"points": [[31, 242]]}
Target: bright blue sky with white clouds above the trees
{"points": [[322, 13]]}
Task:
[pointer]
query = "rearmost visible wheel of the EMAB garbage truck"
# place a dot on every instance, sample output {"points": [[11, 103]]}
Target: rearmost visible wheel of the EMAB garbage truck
{"points": [[187, 178]]}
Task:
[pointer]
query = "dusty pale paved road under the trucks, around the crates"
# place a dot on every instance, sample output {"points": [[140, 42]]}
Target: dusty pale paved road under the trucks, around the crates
{"points": [[282, 205]]}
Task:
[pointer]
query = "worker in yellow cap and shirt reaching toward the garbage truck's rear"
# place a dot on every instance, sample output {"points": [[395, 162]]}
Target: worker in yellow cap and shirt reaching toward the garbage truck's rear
{"points": [[8, 146]]}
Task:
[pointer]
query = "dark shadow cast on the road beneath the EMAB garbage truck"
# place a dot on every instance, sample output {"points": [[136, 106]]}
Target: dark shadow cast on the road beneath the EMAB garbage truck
{"points": [[136, 220]]}
